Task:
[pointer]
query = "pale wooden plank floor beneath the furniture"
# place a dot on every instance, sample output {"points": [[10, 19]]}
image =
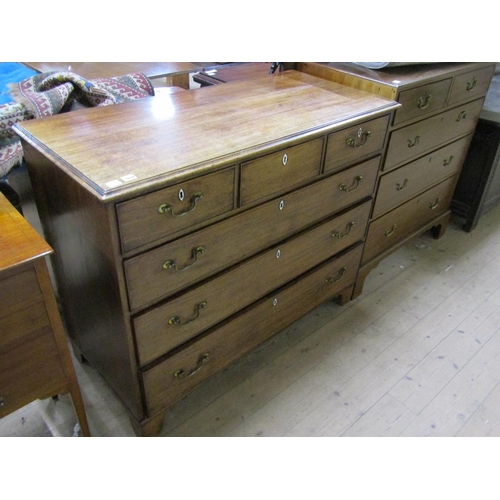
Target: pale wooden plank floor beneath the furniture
{"points": [[417, 354]]}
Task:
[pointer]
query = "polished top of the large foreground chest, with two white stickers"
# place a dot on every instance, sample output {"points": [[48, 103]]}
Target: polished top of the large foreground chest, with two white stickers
{"points": [[116, 150]]}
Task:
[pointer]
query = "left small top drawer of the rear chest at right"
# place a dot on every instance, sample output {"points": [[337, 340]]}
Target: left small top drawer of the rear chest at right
{"points": [[422, 101]]}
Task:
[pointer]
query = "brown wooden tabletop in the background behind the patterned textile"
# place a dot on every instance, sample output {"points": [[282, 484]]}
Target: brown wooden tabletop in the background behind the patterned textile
{"points": [[93, 70]]}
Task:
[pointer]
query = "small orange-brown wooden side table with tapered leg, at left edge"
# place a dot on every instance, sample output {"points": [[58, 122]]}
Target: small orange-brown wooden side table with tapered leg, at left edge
{"points": [[35, 361]]}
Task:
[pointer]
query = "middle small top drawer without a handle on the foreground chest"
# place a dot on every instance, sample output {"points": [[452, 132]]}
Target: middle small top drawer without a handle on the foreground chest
{"points": [[278, 171]]}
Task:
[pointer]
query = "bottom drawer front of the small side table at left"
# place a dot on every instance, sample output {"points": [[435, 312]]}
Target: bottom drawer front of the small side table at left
{"points": [[28, 372]]}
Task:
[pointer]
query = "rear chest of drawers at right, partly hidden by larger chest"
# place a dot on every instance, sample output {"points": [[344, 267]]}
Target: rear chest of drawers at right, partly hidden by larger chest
{"points": [[429, 138]]}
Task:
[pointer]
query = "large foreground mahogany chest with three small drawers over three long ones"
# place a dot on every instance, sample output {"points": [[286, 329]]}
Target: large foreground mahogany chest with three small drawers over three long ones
{"points": [[191, 227]]}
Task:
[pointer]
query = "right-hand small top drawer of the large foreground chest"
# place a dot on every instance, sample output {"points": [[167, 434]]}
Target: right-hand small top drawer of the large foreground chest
{"points": [[355, 142]]}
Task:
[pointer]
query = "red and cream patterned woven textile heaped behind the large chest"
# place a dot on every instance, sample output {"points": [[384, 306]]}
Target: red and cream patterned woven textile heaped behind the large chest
{"points": [[47, 94]]}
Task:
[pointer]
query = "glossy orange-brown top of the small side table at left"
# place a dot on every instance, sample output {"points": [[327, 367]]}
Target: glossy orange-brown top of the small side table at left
{"points": [[19, 242]]}
